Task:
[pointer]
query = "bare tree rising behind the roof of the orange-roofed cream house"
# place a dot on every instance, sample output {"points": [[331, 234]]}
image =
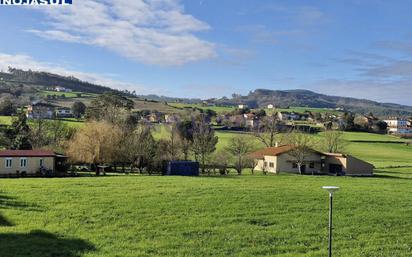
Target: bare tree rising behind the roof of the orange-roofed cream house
{"points": [[268, 132]]}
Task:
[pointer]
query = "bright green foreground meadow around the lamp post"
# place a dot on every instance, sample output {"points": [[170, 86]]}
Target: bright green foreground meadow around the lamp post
{"points": [[284, 215]]}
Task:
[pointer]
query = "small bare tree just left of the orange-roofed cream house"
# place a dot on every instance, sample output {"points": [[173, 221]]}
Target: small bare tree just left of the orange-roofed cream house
{"points": [[239, 147]]}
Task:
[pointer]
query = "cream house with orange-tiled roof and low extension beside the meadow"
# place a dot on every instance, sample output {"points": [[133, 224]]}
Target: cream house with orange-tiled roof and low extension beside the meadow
{"points": [[277, 159]]}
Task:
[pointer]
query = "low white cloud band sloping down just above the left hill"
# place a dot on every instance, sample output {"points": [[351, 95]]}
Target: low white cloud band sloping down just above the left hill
{"points": [[26, 62]]}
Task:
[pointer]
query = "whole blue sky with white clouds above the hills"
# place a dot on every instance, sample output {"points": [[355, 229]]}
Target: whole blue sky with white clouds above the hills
{"points": [[212, 48]]}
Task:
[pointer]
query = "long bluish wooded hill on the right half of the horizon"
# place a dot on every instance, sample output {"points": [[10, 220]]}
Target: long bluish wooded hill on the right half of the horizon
{"points": [[305, 98]]}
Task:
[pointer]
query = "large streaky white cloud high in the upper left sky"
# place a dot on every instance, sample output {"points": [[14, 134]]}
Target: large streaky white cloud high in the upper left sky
{"points": [[153, 32]]}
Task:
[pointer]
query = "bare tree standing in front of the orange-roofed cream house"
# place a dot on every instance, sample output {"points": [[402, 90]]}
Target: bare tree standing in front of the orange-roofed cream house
{"points": [[302, 144]]}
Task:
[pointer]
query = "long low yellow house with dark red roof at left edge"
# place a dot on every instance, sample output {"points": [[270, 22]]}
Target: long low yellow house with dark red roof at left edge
{"points": [[30, 162]]}
